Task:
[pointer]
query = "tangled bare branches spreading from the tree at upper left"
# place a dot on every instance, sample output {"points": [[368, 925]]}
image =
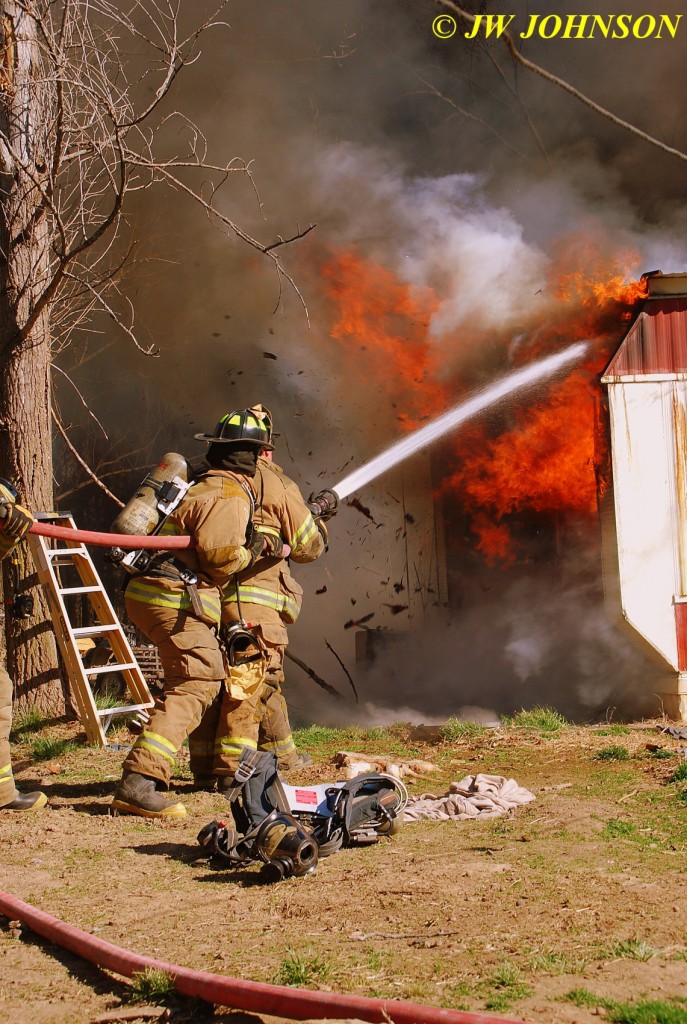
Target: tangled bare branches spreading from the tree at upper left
{"points": [[102, 144]]}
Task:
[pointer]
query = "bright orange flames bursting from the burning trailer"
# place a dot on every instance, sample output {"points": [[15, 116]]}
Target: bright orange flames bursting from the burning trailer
{"points": [[545, 461]]}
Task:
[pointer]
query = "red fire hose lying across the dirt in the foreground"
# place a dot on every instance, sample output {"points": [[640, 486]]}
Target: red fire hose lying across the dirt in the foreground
{"points": [[251, 997]]}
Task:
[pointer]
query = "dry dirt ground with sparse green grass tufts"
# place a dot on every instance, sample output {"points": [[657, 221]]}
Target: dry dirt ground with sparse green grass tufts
{"points": [[545, 915]]}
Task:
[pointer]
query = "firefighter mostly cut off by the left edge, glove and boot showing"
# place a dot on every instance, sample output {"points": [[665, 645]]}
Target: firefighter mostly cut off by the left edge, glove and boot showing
{"points": [[16, 522]]}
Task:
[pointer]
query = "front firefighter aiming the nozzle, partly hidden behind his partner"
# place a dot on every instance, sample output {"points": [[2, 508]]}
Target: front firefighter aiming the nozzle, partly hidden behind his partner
{"points": [[269, 599]]}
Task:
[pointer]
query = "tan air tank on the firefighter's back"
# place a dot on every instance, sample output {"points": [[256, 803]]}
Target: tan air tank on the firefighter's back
{"points": [[157, 495]]}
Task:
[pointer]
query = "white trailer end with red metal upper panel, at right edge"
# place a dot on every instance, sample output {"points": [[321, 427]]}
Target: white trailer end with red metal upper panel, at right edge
{"points": [[646, 543]]}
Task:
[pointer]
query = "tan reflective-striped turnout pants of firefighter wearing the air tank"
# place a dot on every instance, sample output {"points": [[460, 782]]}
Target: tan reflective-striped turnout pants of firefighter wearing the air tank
{"points": [[194, 666]]}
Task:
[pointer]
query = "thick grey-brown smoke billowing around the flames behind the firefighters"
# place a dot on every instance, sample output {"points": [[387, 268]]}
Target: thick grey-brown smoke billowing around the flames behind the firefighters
{"points": [[464, 180]]}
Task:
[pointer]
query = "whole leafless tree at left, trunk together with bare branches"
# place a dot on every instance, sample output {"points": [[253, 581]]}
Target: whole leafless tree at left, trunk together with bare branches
{"points": [[80, 129]]}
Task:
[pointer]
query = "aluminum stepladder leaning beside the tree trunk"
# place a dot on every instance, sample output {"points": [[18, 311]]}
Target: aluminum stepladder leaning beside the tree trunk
{"points": [[65, 569]]}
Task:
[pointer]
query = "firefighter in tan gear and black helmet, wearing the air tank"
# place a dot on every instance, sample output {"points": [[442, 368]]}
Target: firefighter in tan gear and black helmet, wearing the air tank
{"points": [[178, 606]]}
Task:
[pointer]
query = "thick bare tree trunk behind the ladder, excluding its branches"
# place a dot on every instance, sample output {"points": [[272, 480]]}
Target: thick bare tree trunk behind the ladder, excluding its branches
{"points": [[26, 454]]}
